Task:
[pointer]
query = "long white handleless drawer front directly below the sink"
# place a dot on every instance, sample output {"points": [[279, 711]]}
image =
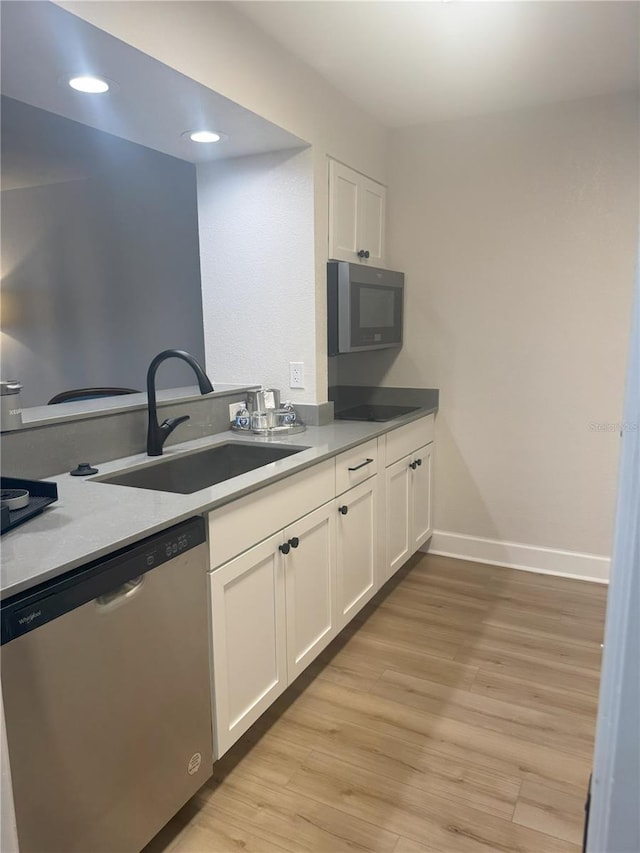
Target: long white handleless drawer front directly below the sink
{"points": [[244, 522]]}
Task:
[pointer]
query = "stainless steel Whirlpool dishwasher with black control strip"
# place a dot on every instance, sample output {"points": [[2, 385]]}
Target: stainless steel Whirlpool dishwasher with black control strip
{"points": [[105, 676]]}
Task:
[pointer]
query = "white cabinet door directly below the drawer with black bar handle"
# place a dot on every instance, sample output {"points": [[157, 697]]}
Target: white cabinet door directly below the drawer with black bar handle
{"points": [[357, 571]]}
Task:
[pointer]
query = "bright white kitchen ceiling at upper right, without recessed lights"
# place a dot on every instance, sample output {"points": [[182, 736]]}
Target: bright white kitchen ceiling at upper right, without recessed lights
{"points": [[409, 63]]}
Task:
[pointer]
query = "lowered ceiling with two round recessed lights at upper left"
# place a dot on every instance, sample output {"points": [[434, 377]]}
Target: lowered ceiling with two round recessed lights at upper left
{"points": [[42, 45]]}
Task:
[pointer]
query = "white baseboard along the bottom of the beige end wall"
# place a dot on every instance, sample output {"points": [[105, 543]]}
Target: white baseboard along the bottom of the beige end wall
{"points": [[528, 558]]}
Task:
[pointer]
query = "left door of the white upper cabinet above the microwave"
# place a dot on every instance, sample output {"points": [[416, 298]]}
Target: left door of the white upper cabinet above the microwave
{"points": [[343, 212]]}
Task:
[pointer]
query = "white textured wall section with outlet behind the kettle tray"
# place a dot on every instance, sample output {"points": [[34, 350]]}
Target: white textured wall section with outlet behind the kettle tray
{"points": [[257, 239]]}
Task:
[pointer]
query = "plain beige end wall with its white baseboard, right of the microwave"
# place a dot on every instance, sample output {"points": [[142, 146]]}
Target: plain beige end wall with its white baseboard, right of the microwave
{"points": [[517, 234]]}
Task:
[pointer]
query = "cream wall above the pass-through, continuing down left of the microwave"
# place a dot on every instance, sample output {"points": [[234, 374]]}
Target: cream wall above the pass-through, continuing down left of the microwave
{"points": [[216, 45]]}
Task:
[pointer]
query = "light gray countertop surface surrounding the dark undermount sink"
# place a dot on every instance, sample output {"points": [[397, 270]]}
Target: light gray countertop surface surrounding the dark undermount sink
{"points": [[93, 519]]}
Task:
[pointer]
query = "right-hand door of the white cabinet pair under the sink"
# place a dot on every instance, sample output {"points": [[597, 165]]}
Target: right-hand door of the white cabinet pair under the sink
{"points": [[310, 587]]}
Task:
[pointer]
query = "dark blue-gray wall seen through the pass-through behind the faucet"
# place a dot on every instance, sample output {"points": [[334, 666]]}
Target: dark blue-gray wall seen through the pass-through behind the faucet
{"points": [[101, 265]]}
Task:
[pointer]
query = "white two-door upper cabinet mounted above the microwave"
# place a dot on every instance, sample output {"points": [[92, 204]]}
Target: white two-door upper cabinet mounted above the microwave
{"points": [[356, 216]]}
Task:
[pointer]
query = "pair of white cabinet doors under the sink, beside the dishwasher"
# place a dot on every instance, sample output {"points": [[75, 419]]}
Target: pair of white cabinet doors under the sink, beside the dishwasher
{"points": [[273, 609]]}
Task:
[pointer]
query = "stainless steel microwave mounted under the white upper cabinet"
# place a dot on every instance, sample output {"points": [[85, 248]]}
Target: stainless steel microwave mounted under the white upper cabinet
{"points": [[364, 307]]}
